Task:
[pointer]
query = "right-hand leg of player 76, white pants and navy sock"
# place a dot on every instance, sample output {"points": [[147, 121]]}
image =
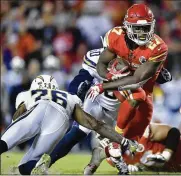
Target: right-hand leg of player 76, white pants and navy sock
{"points": [[53, 128]]}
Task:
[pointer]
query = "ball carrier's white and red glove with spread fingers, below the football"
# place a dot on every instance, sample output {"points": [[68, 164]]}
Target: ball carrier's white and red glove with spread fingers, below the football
{"points": [[94, 91]]}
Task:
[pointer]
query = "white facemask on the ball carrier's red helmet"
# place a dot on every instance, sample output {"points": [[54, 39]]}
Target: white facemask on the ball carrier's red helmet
{"points": [[140, 33]]}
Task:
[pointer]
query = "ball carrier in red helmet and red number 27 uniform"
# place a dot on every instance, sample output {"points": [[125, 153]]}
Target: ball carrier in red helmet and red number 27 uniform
{"points": [[145, 53]]}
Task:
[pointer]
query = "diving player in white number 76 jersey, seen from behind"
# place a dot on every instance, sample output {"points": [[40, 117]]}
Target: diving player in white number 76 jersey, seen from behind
{"points": [[44, 112]]}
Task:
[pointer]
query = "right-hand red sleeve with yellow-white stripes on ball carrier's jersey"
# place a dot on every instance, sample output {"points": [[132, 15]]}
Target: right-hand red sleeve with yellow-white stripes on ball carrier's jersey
{"points": [[159, 53]]}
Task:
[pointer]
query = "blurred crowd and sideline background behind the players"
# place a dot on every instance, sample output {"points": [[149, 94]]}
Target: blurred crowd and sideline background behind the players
{"points": [[53, 36]]}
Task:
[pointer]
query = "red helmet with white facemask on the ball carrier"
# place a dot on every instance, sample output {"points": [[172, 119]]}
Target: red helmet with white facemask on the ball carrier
{"points": [[139, 23]]}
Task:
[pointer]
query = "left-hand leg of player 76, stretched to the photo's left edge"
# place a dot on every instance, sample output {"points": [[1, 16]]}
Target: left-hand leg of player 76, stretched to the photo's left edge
{"points": [[23, 129]]}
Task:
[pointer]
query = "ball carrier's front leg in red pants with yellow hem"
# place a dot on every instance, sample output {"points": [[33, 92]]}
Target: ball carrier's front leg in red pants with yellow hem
{"points": [[128, 107]]}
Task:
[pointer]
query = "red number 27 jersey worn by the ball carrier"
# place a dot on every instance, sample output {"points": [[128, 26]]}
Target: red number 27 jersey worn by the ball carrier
{"points": [[153, 51]]}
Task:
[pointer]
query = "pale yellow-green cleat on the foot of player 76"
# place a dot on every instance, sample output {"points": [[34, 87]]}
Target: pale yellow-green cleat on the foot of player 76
{"points": [[42, 165]]}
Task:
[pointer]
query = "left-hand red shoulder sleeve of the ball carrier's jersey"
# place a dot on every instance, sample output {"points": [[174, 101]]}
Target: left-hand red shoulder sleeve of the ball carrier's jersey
{"points": [[111, 38]]}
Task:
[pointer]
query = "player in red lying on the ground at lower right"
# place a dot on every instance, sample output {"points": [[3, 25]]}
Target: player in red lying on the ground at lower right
{"points": [[162, 150]]}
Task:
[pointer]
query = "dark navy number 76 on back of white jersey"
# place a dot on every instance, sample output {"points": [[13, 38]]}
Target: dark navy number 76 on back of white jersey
{"points": [[56, 96]]}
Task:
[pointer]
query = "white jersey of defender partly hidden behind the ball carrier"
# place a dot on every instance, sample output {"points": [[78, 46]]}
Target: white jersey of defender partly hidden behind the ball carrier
{"points": [[106, 99]]}
